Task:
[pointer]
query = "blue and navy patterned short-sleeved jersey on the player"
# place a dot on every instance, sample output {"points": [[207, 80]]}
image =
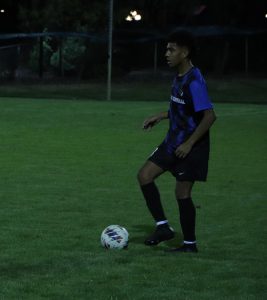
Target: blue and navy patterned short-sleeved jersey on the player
{"points": [[189, 97]]}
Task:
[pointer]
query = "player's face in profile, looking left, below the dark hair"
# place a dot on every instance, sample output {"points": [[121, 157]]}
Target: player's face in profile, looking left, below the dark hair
{"points": [[175, 54]]}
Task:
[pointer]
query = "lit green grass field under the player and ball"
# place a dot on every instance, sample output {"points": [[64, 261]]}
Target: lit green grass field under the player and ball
{"points": [[68, 169]]}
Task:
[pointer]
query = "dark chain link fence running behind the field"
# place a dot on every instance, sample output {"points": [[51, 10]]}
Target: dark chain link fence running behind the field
{"points": [[82, 56]]}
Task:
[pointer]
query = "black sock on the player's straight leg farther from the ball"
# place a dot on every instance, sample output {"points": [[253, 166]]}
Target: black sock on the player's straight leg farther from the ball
{"points": [[187, 218]]}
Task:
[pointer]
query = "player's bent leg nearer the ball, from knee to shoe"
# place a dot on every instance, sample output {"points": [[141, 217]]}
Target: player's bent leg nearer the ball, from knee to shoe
{"points": [[146, 176]]}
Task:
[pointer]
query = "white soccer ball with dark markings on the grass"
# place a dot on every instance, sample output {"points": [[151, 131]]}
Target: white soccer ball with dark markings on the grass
{"points": [[115, 237]]}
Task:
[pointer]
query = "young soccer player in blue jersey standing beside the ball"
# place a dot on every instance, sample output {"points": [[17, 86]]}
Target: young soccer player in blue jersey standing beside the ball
{"points": [[185, 149]]}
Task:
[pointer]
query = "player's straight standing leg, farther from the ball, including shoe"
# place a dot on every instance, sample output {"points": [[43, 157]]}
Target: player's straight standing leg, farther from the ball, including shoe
{"points": [[187, 216]]}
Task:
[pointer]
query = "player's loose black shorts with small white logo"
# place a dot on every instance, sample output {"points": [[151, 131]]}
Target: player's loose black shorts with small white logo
{"points": [[194, 167]]}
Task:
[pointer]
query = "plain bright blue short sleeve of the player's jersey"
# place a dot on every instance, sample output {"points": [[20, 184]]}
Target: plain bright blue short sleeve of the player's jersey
{"points": [[200, 97]]}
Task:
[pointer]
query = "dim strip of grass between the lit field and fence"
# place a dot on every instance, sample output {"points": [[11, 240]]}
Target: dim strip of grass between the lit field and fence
{"points": [[234, 90]]}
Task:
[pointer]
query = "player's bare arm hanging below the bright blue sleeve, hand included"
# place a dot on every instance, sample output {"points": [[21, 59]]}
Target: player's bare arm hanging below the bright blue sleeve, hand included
{"points": [[208, 119]]}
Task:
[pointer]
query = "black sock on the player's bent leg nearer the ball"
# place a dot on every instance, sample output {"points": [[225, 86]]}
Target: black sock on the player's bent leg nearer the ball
{"points": [[152, 197]]}
